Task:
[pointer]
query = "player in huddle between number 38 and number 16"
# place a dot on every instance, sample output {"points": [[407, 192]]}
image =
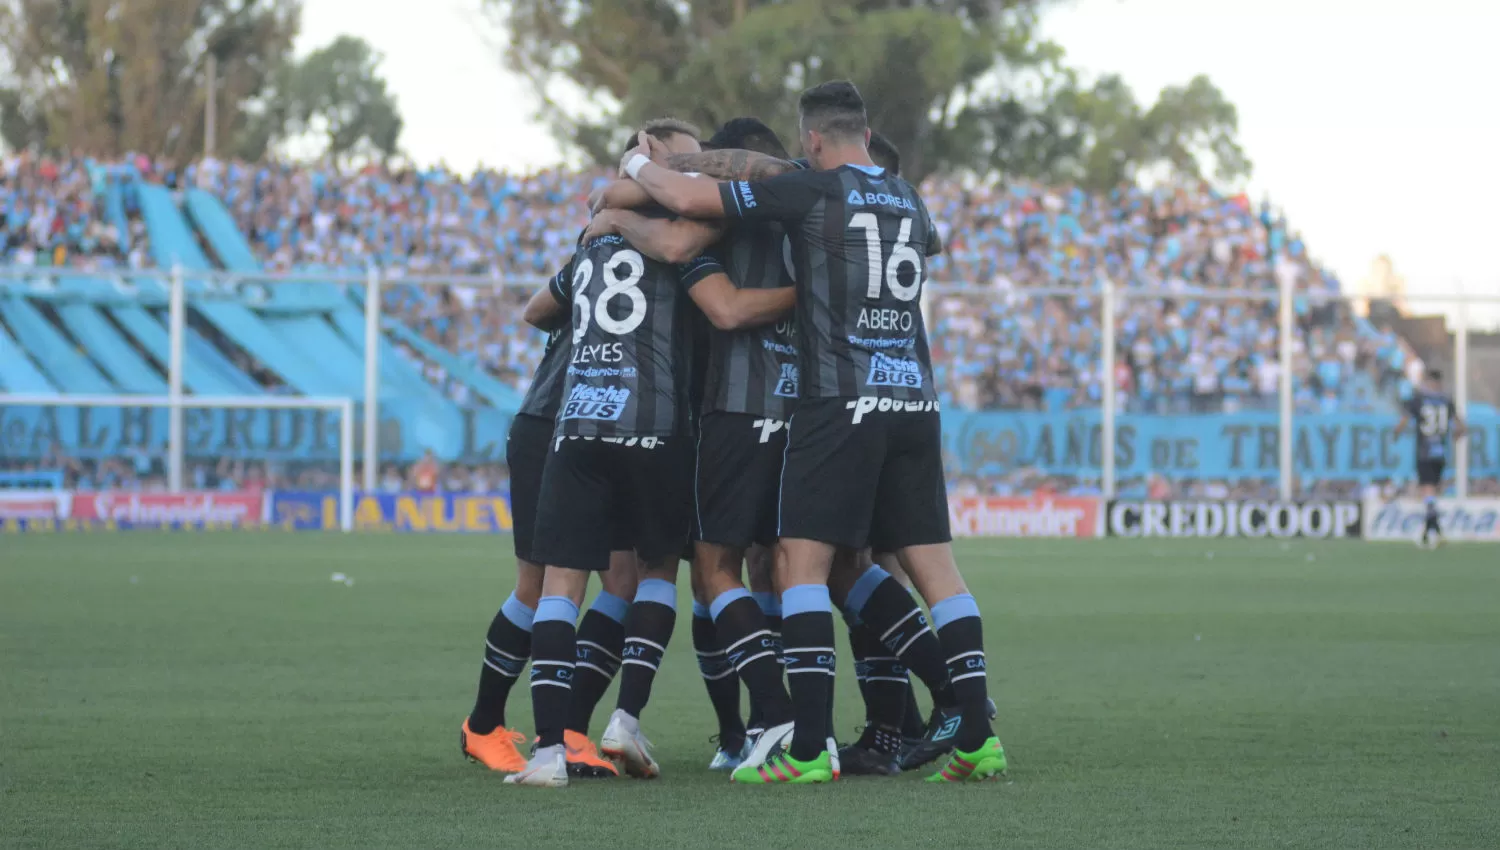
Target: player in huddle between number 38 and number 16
{"points": [[751, 383]]}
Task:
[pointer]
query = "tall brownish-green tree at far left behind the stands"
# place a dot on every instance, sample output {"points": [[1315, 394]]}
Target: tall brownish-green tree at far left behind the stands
{"points": [[116, 76]]}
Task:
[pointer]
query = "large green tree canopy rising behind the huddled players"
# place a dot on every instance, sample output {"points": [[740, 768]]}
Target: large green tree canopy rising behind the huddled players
{"points": [[956, 85]]}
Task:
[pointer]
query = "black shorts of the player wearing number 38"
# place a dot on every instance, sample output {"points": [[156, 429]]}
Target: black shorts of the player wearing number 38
{"points": [[643, 483]]}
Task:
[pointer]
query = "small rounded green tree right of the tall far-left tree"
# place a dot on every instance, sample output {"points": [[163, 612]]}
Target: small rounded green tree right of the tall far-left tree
{"points": [[337, 92]]}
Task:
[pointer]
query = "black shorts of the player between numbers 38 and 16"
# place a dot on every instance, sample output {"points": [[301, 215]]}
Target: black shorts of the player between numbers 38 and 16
{"points": [[739, 479]]}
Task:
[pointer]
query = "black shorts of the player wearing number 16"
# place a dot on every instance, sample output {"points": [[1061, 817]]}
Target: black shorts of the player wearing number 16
{"points": [[860, 474]]}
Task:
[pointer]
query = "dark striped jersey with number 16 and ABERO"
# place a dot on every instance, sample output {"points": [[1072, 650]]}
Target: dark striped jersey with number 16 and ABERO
{"points": [[860, 242]]}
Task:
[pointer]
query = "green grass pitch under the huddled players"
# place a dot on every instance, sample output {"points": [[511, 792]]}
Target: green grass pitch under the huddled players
{"points": [[221, 692]]}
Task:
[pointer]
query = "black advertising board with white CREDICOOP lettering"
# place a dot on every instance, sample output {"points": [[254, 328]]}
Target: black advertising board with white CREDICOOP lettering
{"points": [[1318, 519]]}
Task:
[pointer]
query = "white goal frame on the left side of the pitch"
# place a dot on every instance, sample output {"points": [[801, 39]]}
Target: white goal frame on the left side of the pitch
{"points": [[178, 404]]}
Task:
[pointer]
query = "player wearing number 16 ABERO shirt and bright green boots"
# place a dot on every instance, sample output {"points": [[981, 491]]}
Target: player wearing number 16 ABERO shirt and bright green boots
{"points": [[866, 444]]}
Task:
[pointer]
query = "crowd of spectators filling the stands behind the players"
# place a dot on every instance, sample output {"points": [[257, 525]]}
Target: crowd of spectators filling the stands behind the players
{"points": [[1016, 323]]}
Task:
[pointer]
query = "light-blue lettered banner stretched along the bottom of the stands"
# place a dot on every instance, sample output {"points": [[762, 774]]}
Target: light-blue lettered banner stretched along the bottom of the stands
{"points": [[1190, 446]]}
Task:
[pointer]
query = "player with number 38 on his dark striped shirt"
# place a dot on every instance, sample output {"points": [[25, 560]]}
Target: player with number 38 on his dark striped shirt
{"points": [[619, 446]]}
